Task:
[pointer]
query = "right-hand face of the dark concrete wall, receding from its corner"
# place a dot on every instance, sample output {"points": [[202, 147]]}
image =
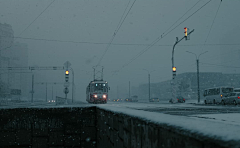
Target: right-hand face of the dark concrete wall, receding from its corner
{"points": [[122, 131]]}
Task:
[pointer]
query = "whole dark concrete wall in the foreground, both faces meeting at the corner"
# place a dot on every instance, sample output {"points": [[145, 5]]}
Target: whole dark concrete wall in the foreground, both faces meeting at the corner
{"points": [[93, 128]]}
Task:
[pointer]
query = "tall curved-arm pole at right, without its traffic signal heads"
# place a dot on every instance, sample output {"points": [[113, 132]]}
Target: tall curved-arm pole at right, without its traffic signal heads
{"points": [[174, 73]]}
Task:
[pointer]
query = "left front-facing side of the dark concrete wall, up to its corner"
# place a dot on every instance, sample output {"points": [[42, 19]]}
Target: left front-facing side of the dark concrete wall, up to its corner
{"points": [[51, 127]]}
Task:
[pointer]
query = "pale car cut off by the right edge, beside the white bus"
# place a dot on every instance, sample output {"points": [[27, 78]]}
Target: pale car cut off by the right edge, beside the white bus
{"points": [[232, 98]]}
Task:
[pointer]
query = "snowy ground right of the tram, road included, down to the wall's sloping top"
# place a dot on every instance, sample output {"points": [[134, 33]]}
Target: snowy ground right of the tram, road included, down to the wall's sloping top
{"points": [[224, 126]]}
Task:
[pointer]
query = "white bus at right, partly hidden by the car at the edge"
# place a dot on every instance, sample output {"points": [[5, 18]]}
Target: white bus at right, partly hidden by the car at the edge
{"points": [[215, 95]]}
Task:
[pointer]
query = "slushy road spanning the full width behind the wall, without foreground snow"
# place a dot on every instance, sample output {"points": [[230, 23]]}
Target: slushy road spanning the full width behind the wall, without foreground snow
{"points": [[181, 109]]}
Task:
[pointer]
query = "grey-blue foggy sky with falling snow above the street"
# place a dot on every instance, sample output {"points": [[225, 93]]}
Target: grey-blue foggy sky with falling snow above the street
{"points": [[79, 31]]}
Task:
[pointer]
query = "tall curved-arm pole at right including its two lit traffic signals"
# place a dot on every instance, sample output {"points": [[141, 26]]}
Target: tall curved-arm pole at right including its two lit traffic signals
{"points": [[173, 67]]}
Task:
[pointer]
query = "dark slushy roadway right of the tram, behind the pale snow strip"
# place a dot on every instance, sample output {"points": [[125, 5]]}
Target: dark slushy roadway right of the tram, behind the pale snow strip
{"points": [[182, 109]]}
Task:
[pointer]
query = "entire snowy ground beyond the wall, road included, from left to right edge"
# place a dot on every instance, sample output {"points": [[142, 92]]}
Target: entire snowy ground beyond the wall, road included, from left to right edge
{"points": [[211, 120]]}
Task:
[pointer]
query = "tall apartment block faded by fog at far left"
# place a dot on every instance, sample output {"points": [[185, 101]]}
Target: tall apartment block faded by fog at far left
{"points": [[16, 56]]}
